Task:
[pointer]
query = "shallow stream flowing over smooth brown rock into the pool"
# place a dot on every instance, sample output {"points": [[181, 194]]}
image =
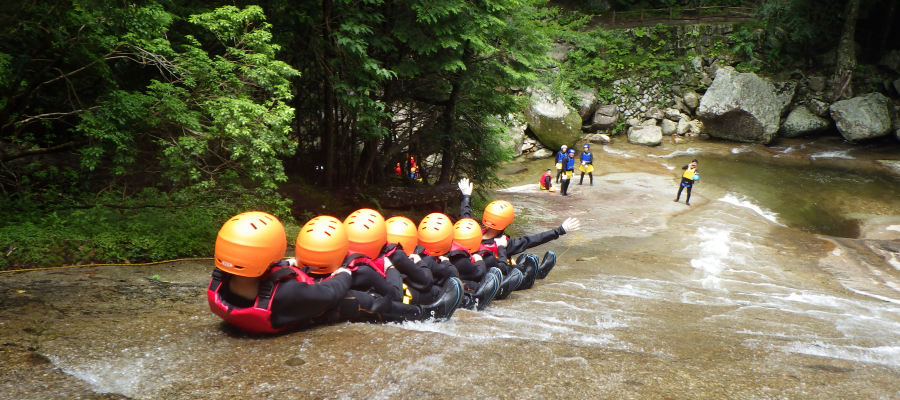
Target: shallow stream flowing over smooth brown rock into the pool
{"points": [[761, 289]]}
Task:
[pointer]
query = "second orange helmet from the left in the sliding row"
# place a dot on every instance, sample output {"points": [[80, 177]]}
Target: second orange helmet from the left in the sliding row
{"points": [[322, 244]]}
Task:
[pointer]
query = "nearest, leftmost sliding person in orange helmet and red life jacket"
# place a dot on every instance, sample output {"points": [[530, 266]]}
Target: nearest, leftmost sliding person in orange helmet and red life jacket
{"points": [[255, 290]]}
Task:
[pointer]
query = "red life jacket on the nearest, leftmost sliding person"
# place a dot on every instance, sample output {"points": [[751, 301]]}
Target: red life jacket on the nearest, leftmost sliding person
{"points": [[256, 319]]}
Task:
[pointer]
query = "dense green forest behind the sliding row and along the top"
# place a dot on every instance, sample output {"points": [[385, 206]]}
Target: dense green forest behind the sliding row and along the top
{"points": [[130, 130]]}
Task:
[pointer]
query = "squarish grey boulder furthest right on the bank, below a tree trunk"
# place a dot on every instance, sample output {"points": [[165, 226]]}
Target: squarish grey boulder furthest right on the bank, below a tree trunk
{"points": [[862, 117]]}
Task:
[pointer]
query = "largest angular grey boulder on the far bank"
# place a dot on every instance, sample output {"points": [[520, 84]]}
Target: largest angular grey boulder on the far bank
{"points": [[740, 106]]}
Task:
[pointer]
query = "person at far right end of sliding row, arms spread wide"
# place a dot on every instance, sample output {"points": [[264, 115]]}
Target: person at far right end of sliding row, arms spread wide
{"points": [[496, 217]]}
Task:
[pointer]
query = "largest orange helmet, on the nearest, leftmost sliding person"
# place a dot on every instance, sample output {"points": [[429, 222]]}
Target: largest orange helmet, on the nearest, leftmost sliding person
{"points": [[249, 243]]}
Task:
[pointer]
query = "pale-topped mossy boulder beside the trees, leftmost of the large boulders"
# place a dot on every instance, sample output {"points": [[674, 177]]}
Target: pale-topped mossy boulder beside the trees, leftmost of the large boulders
{"points": [[553, 122]]}
